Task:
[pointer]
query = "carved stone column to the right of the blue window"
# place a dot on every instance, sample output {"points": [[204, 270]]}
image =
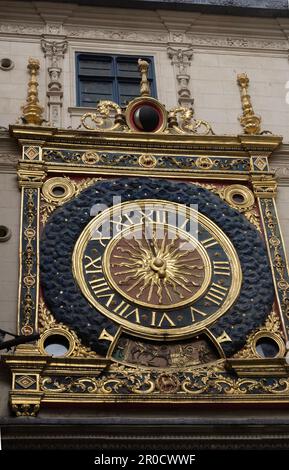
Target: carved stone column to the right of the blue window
{"points": [[181, 60]]}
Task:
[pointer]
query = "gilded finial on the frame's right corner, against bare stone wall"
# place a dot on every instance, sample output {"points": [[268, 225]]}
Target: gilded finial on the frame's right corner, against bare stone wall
{"points": [[249, 120]]}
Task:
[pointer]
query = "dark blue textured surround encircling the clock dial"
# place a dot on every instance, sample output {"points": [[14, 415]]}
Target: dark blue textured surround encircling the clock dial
{"points": [[68, 305]]}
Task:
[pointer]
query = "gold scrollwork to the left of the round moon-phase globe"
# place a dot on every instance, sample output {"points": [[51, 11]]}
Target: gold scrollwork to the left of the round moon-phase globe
{"points": [[108, 116]]}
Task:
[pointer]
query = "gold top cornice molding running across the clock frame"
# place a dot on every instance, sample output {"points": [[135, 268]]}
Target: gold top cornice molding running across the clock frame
{"points": [[162, 143]]}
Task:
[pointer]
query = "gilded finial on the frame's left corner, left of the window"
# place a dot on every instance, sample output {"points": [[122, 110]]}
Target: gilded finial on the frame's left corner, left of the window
{"points": [[32, 111]]}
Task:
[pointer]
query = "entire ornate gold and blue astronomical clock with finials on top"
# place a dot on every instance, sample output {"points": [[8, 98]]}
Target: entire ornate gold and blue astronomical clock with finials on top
{"points": [[152, 262]]}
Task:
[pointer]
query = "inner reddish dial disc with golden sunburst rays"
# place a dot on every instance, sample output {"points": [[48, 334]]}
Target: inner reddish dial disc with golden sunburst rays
{"points": [[157, 265]]}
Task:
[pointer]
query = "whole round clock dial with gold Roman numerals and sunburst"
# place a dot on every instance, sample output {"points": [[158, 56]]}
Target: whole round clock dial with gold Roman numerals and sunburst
{"points": [[157, 268]]}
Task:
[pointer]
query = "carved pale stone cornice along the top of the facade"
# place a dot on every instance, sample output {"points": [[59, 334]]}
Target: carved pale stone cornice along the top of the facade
{"points": [[162, 27]]}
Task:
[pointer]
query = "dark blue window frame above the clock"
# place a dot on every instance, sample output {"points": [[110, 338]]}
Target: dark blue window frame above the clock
{"points": [[115, 79]]}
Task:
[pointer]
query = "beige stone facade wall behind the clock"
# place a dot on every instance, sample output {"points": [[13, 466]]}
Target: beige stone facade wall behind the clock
{"points": [[221, 47]]}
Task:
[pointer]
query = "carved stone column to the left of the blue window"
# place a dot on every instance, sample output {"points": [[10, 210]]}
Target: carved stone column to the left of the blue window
{"points": [[54, 51]]}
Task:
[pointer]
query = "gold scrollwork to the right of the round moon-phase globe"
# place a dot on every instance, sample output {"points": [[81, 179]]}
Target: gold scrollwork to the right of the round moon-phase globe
{"points": [[181, 120]]}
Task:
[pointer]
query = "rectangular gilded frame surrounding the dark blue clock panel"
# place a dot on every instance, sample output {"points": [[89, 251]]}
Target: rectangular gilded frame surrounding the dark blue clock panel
{"points": [[39, 379]]}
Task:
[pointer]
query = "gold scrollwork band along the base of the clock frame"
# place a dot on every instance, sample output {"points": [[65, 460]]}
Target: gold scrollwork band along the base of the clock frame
{"points": [[190, 383]]}
